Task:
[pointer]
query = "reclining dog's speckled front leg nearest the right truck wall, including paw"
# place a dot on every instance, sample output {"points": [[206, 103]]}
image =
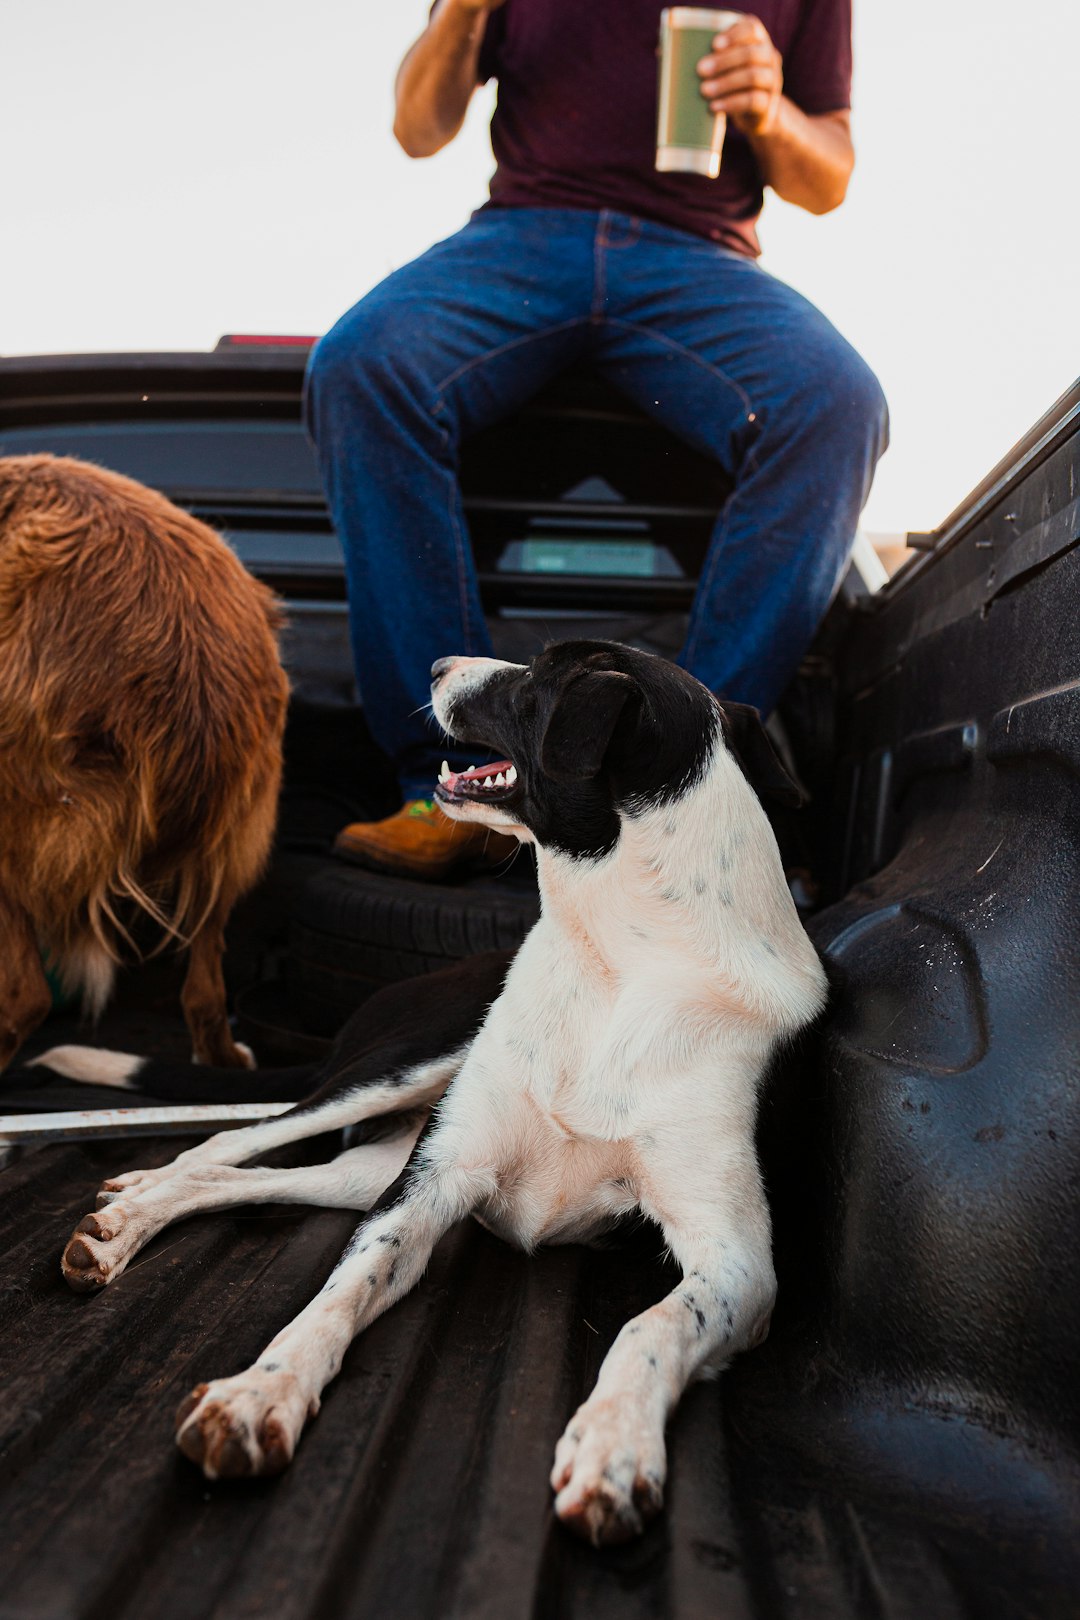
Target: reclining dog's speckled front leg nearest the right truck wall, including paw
{"points": [[611, 1462]]}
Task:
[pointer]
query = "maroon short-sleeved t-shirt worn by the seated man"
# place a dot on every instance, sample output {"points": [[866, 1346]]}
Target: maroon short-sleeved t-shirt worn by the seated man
{"points": [[576, 122]]}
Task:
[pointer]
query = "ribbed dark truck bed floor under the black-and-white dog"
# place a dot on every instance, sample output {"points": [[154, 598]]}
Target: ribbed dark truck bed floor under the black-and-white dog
{"points": [[422, 1488]]}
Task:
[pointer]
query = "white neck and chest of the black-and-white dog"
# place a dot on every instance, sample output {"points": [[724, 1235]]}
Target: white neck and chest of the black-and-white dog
{"points": [[657, 968]]}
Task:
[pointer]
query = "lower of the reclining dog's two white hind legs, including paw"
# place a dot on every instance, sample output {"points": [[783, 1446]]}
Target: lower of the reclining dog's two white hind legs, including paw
{"points": [[104, 1243]]}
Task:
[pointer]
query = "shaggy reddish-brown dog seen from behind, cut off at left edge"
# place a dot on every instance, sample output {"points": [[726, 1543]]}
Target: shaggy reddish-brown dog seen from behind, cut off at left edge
{"points": [[142, 715]]}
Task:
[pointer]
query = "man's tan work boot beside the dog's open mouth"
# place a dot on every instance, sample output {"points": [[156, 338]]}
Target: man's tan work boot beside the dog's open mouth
{"points": [[420, 842]]}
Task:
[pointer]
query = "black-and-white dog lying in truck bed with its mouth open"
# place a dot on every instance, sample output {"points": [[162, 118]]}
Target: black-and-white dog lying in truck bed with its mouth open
{"points": [[618, 1068]]}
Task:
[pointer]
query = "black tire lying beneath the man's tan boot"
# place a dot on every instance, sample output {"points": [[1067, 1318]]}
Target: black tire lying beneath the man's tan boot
{"points": [[354, 932]]}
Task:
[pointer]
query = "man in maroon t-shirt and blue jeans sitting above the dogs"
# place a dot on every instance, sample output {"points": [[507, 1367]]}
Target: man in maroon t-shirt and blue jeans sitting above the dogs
{"points": [[587, 252]]}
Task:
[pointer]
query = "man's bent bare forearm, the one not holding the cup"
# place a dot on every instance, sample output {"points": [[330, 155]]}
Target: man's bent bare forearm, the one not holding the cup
{"points": [[438, 79]]}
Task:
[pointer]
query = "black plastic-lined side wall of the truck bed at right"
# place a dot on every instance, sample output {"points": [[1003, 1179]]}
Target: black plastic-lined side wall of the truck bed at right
{"points": [[932, 1238]]}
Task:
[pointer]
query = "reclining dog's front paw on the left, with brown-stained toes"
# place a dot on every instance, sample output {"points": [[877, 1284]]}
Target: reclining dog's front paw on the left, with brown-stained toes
{"points": [[244, 1426]]}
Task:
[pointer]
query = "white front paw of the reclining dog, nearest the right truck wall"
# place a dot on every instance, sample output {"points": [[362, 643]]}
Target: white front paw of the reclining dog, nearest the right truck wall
{"points": [[610, 1472]]}
